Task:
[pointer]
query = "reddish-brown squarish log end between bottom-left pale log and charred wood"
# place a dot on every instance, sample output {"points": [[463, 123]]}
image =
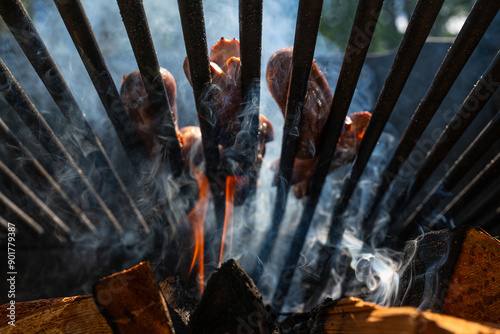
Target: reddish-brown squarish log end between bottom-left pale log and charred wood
{"points": [[131, 301]]}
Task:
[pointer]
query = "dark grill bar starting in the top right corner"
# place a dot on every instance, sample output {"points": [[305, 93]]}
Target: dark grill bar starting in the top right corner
{"points": [[480, 17]]}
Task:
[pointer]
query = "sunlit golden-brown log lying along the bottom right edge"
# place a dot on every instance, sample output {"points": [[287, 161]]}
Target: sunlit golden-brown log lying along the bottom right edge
{"points": [[353, 315]]}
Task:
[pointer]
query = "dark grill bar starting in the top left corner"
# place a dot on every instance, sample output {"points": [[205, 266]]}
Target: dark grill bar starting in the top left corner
{"points": [[25, 33]]}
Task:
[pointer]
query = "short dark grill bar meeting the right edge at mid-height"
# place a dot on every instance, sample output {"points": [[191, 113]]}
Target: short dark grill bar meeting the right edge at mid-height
{"points": [[471, 190]]}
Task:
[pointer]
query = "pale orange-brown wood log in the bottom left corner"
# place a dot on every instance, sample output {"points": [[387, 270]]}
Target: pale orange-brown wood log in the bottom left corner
{"points": [[59, 315]]}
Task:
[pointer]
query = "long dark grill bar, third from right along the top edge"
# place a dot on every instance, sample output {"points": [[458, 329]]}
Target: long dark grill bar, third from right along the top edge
{"points": [[364, 25]]}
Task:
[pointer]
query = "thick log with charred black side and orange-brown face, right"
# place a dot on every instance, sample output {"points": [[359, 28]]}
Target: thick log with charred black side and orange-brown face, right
{"points": [[455, 272]]}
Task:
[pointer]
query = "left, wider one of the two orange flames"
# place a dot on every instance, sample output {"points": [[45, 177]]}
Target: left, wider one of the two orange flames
{"points": [[197, 219]]}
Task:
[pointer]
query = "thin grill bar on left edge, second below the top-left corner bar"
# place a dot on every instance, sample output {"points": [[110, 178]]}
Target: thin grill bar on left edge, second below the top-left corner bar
{"points": [[10, 139]]}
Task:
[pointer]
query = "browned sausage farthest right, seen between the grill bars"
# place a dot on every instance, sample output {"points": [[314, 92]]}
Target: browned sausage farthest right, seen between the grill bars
{"points": [[316, 109]]}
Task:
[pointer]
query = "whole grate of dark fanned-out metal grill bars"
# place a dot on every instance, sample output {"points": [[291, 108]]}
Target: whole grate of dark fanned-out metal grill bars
{"points": [[193, 26]]}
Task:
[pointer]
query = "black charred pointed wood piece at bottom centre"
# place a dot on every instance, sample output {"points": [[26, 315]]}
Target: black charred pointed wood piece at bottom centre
{"points": [[231, 303]]}
